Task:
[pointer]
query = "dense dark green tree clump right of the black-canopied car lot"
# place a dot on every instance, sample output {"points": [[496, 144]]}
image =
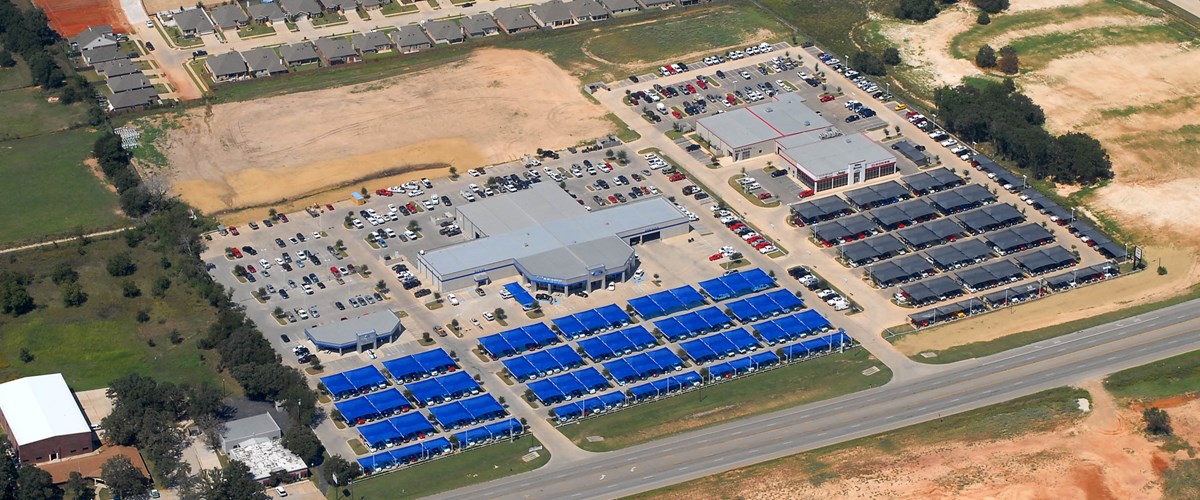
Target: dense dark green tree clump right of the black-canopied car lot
{"points": [[1013, 124]]}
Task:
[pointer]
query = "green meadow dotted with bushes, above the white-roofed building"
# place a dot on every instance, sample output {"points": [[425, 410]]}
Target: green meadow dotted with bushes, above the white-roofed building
{"points": [[101, 341]]}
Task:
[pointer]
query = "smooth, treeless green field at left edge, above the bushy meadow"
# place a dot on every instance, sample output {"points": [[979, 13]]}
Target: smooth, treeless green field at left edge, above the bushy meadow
{"points": [[49, 191]]}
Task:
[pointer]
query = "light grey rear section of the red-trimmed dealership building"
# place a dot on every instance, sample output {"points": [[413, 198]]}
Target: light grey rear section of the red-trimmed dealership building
{"points": [[752, 131]]}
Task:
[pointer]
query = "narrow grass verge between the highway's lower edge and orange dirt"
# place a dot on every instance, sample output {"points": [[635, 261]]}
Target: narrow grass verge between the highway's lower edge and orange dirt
{"points": [[1037, 413]]}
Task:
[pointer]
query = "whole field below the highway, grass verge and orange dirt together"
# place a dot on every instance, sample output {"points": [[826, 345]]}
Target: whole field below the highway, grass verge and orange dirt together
{"points": [[1040, 447]]}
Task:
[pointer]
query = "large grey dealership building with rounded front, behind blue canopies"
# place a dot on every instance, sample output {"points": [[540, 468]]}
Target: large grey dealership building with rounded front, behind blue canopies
{"points": [[548, 239]]}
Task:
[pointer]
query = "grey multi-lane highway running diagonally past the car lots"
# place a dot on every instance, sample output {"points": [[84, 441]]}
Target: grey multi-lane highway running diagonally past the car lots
{"points": [[957, 388]]}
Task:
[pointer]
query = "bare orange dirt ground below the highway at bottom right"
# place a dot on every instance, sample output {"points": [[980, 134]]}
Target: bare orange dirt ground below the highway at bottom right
{"points": [[1103, 456]]}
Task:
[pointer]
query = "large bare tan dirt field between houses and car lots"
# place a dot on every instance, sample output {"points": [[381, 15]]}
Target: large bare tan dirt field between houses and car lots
{"points": [[491, 109]]}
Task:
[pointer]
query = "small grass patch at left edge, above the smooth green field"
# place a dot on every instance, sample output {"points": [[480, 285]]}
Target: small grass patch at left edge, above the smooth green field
{"points": [[28, 113]]}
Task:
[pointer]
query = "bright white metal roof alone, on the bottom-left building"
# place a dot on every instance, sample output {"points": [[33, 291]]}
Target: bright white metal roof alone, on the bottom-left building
{"points": [[39, 408]]}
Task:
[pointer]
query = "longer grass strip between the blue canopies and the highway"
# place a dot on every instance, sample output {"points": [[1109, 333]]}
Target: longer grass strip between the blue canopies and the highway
{"points": [[801, 383]]}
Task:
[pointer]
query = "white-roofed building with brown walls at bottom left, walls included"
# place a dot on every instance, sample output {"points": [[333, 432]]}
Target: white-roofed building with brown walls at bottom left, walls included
{"points": [[43, 419]]}
